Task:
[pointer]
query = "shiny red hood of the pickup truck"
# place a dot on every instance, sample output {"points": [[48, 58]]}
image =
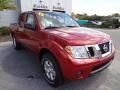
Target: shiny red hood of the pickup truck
{"points": [[80, 35]]}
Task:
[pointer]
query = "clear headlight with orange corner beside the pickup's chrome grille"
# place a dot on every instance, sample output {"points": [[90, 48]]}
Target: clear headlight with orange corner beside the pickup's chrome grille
{"points": [[77, 52]]}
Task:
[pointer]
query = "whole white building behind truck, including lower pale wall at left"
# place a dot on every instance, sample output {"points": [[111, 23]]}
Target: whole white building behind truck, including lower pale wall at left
{"points": [[10, 16]]}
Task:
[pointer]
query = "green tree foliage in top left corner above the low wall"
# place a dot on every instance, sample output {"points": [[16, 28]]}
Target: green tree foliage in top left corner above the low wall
{"points": [[6, 4]]}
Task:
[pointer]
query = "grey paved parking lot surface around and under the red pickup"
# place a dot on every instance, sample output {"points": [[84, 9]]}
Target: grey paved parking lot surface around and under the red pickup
{"points": [[19, 70]]}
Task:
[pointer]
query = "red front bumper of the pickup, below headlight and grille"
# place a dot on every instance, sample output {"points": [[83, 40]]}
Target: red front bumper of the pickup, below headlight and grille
{"points": [[81, 69]]}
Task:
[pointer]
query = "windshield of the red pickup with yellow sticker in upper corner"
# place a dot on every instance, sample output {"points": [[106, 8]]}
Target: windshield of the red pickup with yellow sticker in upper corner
{"points": [[56, 20]]}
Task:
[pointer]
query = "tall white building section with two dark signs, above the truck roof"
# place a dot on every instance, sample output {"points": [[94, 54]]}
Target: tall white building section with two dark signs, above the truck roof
{"points": [[51, 5]]}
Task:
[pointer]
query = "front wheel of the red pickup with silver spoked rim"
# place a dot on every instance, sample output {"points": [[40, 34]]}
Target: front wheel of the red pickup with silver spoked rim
{"points": [[51, 71]]}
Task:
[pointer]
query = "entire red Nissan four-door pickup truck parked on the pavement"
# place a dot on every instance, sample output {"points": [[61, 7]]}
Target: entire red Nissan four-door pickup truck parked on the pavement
{"points": [[65, 49]]}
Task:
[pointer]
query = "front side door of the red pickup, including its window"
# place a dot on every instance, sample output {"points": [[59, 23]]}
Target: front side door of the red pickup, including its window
{"points": [[31, 32]]}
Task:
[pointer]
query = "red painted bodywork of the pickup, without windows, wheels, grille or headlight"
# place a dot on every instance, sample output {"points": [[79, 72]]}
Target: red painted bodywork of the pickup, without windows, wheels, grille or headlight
{"points": [[56, 40]]}
